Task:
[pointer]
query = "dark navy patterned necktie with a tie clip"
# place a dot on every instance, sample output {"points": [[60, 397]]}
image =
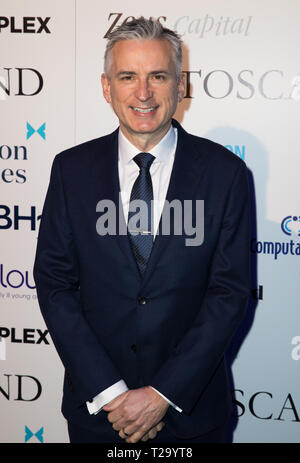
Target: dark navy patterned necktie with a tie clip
{"points": [[140, 231]]}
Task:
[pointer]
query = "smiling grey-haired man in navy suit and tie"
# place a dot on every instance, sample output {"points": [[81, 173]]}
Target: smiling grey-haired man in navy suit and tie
{"points": [[141, 319]]}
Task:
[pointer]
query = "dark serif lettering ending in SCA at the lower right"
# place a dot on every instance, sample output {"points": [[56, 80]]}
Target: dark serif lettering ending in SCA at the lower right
{"points": [[261, 406]]}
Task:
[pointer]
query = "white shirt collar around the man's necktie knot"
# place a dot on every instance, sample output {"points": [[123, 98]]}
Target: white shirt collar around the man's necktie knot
{"points": [[162, 151]]}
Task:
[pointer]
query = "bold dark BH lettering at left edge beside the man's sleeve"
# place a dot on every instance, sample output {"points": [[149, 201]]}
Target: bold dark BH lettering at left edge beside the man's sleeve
{"points": [[12, 218]]}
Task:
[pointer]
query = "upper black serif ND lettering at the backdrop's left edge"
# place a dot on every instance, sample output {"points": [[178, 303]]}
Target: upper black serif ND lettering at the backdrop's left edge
{"points": [[20, 82]]}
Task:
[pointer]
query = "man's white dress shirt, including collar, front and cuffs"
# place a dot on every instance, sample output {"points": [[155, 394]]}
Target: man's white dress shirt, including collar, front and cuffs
{"points": [[160, 170]]}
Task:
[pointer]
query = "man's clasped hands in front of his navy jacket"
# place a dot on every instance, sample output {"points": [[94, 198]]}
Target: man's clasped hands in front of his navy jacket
{"points": [[137, 414]]}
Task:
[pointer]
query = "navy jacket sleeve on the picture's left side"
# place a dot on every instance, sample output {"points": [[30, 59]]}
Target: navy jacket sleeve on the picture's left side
{"points": [[57, 277]]}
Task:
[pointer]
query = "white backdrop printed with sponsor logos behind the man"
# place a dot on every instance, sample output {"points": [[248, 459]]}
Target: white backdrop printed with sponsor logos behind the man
{"points": [[241, 60]]}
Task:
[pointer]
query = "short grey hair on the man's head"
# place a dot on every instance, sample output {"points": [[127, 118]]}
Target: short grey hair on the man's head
{"points": [[142, 28]]}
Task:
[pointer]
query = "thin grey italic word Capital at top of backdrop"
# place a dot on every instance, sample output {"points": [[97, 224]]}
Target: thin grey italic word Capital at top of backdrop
{"points": [[208, 25]]}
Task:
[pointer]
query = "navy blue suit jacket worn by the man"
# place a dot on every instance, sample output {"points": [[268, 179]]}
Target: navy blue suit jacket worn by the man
{"points": [[89, 286]]}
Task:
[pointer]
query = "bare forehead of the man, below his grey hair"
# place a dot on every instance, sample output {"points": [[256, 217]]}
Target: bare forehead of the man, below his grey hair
{"points": [[145, 54]]}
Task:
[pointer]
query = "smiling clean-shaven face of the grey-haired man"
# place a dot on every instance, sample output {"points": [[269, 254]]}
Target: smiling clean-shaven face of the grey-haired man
{"points": [[143, 87]]}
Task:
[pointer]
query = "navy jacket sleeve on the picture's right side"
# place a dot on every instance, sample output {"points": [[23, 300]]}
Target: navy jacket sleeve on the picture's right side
{"points": [[185, 375]]}
